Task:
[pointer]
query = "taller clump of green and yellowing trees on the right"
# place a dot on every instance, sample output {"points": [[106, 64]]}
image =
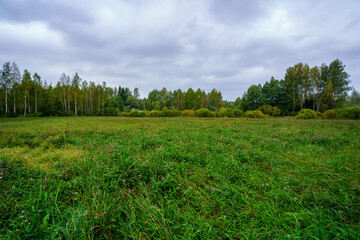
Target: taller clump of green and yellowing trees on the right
{"points": [[318, 88]]}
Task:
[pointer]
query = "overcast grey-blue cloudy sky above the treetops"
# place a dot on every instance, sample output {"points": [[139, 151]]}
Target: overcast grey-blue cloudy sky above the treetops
{"points": [[177, 44]]}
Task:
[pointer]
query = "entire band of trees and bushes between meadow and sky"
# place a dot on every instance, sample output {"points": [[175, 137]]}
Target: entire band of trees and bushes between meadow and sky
{"points": [[305, 92]]}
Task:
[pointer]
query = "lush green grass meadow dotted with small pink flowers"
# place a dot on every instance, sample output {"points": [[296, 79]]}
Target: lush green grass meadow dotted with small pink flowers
{"points": [[179, 178]]}
